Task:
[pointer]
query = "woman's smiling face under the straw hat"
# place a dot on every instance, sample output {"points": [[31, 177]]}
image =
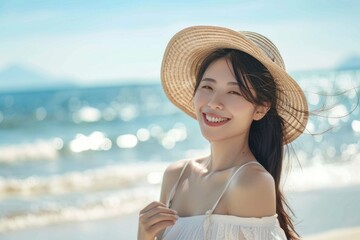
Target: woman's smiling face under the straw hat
{"points": [[220, 108]]}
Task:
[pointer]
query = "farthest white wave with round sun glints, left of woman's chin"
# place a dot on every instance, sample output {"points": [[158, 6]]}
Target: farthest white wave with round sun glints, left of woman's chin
{"points": [[57, 148]]}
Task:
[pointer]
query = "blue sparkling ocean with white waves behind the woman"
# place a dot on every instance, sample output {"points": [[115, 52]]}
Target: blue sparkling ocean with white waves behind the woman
{"points": [[79, 154]]}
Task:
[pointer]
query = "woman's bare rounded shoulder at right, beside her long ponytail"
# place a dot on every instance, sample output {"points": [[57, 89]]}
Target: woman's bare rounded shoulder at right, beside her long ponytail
{"points": [[252, 193]]}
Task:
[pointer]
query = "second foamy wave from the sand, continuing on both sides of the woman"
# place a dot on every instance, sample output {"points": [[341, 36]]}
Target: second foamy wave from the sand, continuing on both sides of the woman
{"points": [[313, 176]]}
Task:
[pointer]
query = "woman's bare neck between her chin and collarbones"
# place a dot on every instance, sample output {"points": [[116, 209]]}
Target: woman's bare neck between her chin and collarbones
{"points": [[229, 153]]}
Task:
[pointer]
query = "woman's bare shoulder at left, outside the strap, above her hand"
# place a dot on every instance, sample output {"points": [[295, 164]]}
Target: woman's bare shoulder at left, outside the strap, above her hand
{"points": [[171, 175]]}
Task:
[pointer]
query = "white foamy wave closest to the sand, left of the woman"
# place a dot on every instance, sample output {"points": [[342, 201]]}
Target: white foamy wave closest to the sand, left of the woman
{"points": [[111, 206]]}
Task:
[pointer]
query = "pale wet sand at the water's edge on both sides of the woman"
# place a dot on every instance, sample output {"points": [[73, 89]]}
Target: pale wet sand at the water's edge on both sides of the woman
{"points": [[320, 214]]}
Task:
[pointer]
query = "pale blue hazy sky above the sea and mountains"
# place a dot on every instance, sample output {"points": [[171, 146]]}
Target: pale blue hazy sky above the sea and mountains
{"points": [[94, 41]]}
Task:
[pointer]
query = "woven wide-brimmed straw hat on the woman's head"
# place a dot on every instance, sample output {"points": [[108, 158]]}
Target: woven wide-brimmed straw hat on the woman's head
{"points": [[189, 47]]}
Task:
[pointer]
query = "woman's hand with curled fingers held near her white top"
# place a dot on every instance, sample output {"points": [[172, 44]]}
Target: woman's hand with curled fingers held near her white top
{"points": [[153, 219]]}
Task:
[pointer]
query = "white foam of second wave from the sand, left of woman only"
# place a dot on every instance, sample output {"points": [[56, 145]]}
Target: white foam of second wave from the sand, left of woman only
{"points": [[110, 177]]}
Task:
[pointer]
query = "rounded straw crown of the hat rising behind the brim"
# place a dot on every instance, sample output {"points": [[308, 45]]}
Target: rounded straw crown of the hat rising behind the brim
{"points": [[266, 46]]}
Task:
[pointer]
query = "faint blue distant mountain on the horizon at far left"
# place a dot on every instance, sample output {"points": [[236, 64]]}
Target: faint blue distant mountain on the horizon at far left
{"points": [[21, 78]]}
